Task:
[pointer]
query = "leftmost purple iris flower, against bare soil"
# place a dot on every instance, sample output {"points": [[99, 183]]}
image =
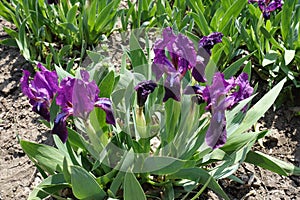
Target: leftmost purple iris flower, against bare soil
{"points": [[40, 90]]}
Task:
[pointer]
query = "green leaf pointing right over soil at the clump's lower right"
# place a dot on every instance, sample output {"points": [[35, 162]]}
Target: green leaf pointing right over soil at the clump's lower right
{"points": [[272, 164]]}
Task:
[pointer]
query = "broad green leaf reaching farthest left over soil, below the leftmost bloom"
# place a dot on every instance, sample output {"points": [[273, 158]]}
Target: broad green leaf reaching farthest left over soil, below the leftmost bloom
{"points": [[47, 157]]}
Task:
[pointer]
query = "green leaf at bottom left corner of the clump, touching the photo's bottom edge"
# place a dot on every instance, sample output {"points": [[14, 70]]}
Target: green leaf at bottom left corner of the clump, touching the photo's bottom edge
{"points": [[50, 185]]}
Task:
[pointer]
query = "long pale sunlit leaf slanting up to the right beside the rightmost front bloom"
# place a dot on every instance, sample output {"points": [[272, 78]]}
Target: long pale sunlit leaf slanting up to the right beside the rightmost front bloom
{"points": [[257, 111]]}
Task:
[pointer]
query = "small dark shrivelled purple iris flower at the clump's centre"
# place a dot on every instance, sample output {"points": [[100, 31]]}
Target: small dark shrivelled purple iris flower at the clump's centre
{"points": [[143, 90]]}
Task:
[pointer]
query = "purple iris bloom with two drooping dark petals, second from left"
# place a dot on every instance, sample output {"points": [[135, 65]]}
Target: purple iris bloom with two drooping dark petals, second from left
{"points": [[78, 97]]}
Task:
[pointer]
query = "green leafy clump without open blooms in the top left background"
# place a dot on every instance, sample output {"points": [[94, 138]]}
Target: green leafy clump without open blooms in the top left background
{"points": [[57, 33]]}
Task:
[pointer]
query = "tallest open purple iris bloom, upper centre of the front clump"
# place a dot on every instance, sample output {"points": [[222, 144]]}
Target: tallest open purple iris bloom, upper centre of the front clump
{"points": [[182, 57]]}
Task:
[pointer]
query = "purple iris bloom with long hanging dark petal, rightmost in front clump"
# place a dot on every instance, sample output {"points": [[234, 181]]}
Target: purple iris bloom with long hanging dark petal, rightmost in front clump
{"points": [[221, 95]]}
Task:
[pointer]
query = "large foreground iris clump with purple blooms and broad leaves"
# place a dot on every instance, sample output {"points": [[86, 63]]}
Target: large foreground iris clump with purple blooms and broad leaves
{"points": [[97, 160]]}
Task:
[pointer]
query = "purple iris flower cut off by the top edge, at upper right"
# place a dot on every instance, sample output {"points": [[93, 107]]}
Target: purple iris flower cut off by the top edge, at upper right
{"points": [[267, 6]]}
